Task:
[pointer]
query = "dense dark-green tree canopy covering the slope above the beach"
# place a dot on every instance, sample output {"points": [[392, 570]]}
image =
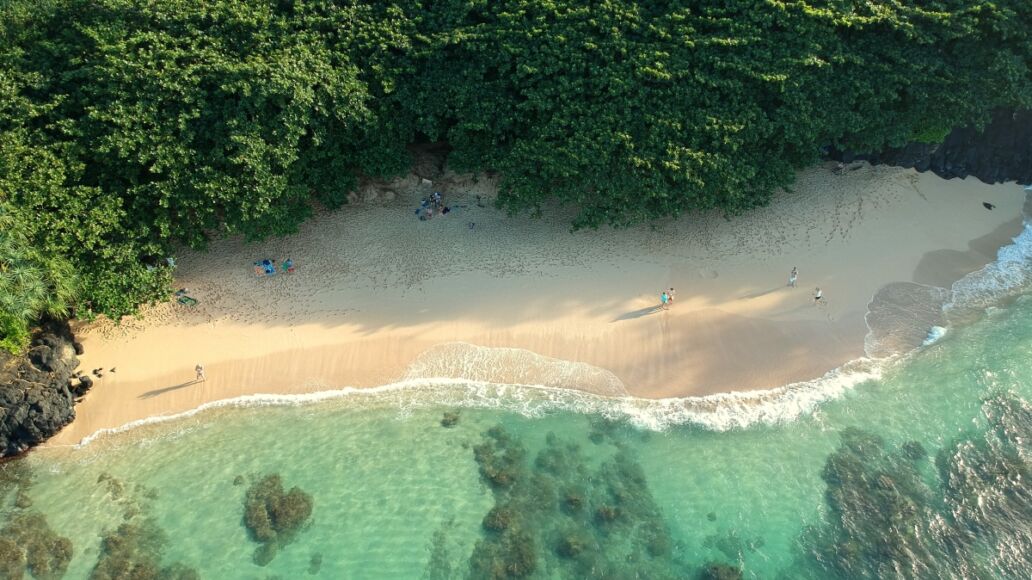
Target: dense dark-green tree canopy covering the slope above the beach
{"points": [[131, 126]]}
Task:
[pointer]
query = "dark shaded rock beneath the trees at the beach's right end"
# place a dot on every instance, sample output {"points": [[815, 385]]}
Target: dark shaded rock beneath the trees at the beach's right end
{"points": [[1001, 153]]}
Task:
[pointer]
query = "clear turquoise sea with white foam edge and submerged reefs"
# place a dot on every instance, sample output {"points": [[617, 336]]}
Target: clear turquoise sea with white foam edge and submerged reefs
{"points": [[920, 468]]}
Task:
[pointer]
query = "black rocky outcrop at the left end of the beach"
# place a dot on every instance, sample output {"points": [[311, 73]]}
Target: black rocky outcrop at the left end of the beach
{"points": [[36, 399]]}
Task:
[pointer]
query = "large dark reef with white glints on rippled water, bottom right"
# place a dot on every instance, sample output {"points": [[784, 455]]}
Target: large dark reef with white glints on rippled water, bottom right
{"points": [[891, 514]]}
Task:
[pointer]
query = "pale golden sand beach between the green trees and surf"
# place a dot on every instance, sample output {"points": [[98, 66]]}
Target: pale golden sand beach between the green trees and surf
{"points": [[380, 297]]}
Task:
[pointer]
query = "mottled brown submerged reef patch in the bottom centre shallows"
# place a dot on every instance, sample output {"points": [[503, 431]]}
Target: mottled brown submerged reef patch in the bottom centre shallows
{"points": [[565, 515]]}
